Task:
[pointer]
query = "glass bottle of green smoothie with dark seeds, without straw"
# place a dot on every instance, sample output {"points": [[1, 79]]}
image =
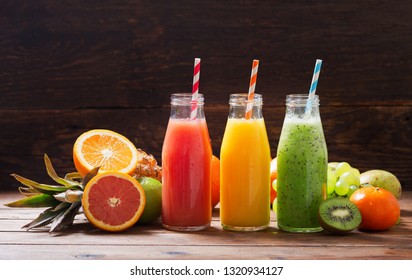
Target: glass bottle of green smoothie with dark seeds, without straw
{"points": [[302, 162]]}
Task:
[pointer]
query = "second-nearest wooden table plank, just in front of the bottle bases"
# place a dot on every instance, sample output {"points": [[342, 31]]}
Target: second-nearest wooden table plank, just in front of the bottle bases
{"points": [[143, 236]]}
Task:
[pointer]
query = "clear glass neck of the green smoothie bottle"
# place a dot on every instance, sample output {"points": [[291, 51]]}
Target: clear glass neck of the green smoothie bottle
{"points": [[297, 106]]}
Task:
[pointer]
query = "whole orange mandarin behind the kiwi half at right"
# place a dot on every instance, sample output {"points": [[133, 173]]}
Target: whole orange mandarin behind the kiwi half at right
{"points": [[379, 208]]}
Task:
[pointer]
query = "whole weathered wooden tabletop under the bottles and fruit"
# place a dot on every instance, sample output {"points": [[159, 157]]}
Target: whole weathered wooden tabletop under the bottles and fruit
{"points": [[82, 241]]}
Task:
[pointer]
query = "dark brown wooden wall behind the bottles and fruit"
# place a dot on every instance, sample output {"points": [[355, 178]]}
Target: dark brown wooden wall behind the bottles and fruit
{"points": [[70, 66]]}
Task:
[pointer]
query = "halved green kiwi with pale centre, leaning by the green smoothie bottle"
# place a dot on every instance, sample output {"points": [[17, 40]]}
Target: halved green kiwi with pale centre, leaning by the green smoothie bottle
{"points": [[339, 215]]}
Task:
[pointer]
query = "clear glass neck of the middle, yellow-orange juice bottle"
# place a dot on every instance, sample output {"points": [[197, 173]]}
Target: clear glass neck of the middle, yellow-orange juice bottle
{"points": [[238, 103]]}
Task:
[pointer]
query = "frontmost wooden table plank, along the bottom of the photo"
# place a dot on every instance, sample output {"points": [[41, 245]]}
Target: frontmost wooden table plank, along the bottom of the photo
{"points": [[198, 252]]}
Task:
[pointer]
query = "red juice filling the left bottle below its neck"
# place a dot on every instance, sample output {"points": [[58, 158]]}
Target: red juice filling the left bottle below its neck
{"points": [[186, 178]]}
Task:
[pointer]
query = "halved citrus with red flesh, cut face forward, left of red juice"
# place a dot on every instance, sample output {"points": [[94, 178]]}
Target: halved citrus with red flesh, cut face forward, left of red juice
{"points": [[113, 201]]}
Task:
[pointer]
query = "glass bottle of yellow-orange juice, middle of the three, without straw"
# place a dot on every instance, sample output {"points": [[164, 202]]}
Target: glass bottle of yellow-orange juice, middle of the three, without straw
{"points": [[245, 168]]}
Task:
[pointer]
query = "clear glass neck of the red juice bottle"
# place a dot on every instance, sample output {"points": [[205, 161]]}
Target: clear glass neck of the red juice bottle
{"points": [[181, 106]]}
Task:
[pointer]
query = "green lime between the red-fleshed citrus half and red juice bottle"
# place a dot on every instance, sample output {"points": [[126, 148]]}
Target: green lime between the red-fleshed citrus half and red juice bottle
{"points": [[153, 192]]}
